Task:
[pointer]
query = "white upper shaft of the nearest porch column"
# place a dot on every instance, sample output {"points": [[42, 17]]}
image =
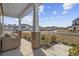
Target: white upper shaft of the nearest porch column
{"points": [[35, 18]]}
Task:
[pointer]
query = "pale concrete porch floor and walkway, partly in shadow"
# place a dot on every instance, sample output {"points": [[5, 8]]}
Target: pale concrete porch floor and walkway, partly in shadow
{"points": [[26, 50]]}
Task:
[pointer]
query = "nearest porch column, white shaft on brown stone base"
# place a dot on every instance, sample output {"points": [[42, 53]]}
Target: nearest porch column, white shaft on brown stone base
{"points": [[35, 33]]}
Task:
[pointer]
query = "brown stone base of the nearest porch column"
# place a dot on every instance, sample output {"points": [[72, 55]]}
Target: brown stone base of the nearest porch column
{"points": [[35, 40]]}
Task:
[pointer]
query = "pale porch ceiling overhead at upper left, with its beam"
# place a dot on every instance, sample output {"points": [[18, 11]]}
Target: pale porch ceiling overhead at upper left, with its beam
{"points": [[16, 10]]}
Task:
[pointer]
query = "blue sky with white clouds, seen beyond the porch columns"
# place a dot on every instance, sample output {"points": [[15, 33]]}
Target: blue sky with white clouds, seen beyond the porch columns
{"points": [[51, 14]]}
